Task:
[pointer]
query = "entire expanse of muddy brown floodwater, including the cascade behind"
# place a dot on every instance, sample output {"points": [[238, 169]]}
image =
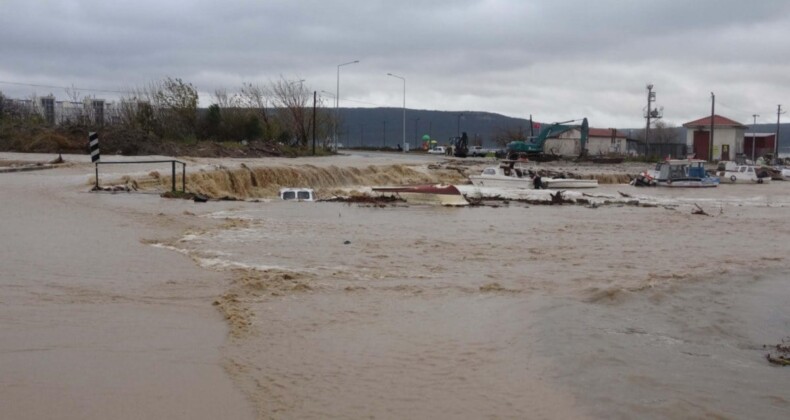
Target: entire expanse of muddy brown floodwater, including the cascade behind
{"points": [[360, 311]]}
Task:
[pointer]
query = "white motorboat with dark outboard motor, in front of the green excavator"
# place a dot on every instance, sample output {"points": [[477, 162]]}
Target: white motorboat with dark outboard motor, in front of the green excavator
{"points": [[510, 174]]}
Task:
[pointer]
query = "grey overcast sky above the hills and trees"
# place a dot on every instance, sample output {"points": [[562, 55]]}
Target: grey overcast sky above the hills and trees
{"points": [[556, 60]]}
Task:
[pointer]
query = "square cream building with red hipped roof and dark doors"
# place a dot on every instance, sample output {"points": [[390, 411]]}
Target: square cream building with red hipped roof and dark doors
{"points": [[727, 138]]}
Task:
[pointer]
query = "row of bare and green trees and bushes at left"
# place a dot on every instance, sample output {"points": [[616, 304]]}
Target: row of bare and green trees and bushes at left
{"points": [[281, 111]]}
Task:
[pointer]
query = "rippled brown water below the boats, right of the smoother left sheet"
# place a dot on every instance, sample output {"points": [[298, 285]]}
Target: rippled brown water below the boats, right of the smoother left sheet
{"points": [[349, 311]]}
